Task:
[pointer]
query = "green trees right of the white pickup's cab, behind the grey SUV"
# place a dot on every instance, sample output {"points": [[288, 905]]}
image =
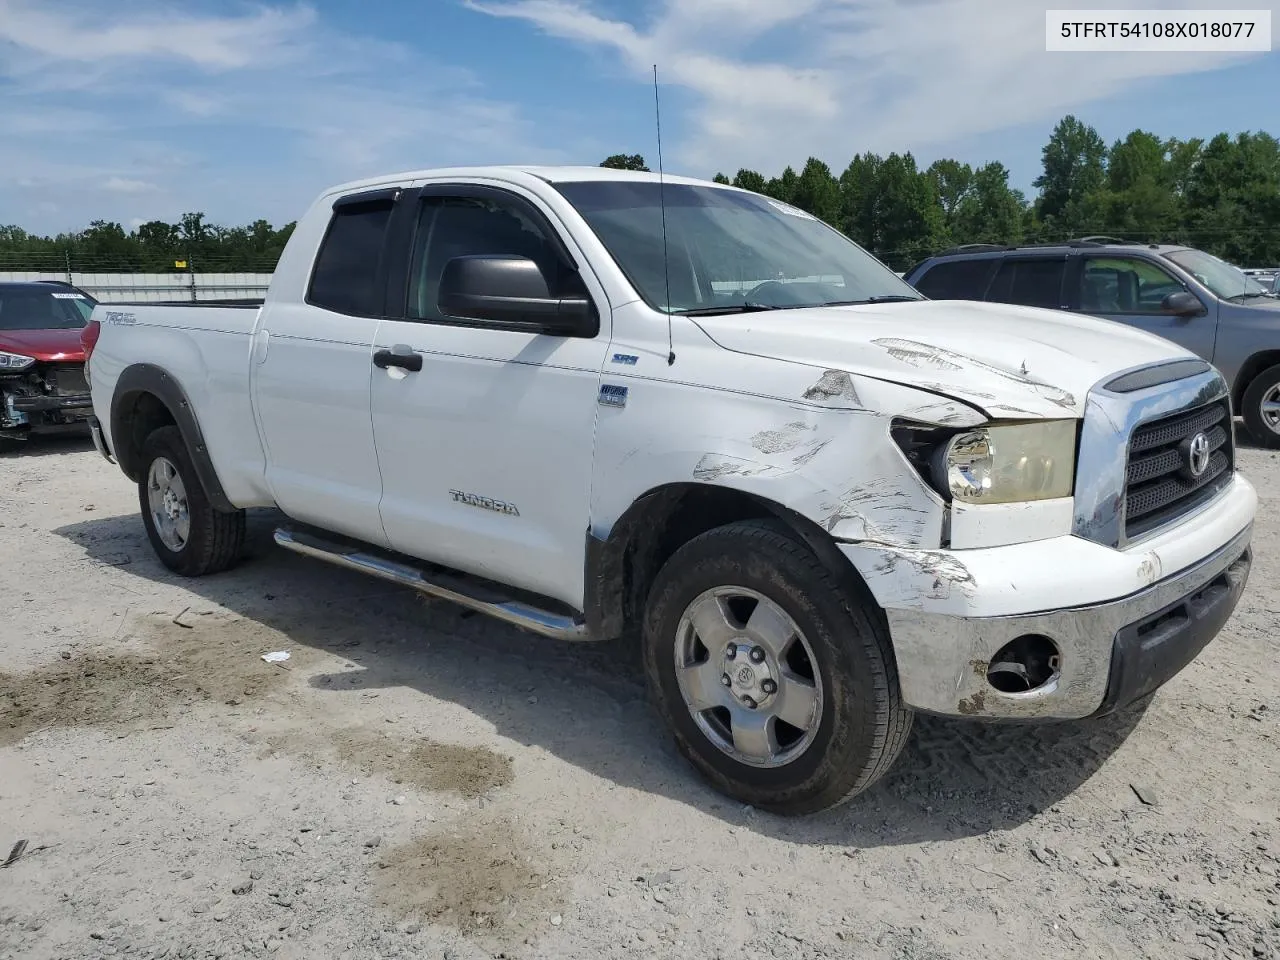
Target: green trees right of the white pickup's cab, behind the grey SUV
{"points": [[1220, 195]]}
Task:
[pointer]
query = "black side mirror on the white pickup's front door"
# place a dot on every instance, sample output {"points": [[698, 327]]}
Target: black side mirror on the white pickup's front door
{"points": [[511, 290]]}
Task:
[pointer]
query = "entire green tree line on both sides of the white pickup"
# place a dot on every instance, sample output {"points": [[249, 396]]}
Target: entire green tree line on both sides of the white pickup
{"points": [[1220, 195]]}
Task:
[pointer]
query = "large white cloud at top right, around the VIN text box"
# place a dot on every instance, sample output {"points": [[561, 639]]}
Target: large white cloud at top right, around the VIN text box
{"points": [[845, 76]]}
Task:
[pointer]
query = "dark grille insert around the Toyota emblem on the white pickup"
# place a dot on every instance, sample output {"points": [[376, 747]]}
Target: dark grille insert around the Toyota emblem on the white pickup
{"points": [[1159, 482]]}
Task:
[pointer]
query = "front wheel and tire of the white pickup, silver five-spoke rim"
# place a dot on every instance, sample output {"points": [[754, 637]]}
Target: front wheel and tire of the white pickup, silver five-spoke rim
{"points": [[858, 725]]}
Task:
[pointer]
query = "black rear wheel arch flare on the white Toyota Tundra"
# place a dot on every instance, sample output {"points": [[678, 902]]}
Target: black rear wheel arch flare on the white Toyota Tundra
{"points": [[145, 399]]}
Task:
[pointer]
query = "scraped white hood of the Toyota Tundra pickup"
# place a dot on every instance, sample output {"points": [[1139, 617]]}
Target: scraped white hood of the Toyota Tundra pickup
{"points": [[1009, 362]]}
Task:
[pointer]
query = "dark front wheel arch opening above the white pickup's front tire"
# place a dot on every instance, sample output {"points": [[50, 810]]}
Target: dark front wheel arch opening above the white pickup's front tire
{"points": [[623, 564]]}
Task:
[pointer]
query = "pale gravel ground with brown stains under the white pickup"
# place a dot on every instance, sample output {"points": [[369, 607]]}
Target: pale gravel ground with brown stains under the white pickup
{"points": [[418, 783]]}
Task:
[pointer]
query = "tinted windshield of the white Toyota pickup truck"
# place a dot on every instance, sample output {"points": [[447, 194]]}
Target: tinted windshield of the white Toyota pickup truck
{"points": [[728, 250]]}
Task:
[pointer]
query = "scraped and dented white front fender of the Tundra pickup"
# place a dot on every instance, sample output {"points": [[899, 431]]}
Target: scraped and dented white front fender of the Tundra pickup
{"points": [[826, 454]]}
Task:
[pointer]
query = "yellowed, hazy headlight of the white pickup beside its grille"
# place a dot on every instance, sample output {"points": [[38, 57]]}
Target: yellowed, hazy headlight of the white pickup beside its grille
{"points": [[1009, 463]]}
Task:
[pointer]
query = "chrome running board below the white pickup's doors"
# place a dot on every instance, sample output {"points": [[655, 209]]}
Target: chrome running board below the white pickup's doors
{"points": [[556, 627]]}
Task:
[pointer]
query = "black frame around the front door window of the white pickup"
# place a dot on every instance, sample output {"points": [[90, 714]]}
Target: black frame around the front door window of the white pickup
{"points": [[404, 235]]}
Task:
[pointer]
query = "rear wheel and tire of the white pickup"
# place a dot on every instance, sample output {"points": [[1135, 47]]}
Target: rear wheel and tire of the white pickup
{"points": [[211, 541]]}
